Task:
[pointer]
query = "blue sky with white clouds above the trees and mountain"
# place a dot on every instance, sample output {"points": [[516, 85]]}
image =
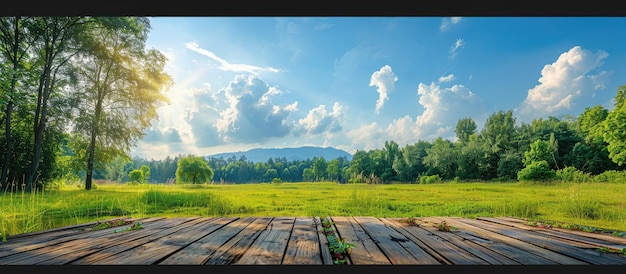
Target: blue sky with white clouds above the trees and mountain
{"points": [[355, 82]]}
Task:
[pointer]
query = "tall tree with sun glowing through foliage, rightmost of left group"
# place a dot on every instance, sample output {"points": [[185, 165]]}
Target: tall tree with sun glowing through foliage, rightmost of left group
{"points": [[120, 86]]}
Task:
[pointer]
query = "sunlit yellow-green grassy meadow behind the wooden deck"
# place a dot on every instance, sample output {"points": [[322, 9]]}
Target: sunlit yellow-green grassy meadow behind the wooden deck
{"points": [[597, 205]]}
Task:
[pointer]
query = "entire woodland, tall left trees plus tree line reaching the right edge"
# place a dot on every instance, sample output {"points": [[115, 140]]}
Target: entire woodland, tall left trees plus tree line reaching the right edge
{"points": [[76, 93]]}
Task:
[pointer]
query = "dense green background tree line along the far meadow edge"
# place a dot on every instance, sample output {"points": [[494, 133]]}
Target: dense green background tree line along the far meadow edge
{"points": [[503, 150]]}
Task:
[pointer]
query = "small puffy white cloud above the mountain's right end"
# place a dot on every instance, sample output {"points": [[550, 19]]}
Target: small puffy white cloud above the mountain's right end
{"points": [[319, 121]]}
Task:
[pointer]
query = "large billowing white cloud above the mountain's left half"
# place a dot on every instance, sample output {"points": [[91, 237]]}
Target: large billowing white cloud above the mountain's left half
{"points": [[252, 116]]}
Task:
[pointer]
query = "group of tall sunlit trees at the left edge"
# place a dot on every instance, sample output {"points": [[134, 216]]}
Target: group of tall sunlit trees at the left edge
{"points": [[75, 93]]}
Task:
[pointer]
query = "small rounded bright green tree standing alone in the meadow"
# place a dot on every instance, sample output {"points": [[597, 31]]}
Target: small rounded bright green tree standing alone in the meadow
{"points": [[193, 169]]}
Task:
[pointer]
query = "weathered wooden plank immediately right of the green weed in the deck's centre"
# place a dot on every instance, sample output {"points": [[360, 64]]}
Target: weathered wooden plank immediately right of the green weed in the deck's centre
{"points": [[366, 251]]}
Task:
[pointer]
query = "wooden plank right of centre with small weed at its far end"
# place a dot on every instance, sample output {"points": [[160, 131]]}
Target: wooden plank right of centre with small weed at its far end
{"points": [[512, 248]]}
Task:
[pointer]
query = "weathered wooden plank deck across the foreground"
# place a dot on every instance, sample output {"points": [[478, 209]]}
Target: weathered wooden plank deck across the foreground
{"points": [[300, 241]]}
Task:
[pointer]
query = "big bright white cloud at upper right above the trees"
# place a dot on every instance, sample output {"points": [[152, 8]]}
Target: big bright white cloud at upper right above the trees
{"points": [[569, 79]]}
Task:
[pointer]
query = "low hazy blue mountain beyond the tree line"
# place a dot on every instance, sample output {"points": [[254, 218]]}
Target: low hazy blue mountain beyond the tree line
{"points": [[291, 154]]}
